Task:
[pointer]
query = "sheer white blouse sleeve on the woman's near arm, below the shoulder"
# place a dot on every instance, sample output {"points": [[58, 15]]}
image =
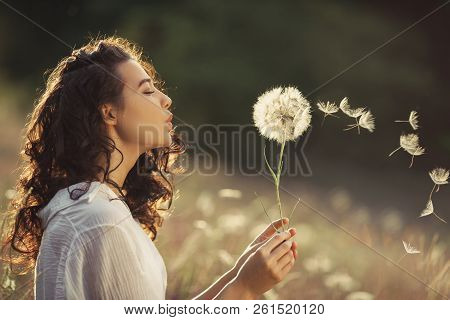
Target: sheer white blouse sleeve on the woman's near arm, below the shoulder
{"points": [[103, 263]]}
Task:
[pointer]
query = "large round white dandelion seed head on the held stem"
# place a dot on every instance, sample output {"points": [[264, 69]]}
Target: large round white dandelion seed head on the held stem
{"points": [[282, 114]]}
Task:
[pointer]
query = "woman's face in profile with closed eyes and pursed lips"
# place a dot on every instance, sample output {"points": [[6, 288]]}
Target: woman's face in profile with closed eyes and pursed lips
{"points": [[144, 120]]}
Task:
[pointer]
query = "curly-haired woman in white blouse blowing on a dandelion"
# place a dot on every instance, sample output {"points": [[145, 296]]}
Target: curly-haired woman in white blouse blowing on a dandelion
{"points": [[102, 131]]}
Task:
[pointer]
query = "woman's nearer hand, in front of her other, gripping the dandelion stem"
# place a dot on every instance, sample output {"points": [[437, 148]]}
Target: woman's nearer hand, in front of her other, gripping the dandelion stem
{"points": [[268, 265]]}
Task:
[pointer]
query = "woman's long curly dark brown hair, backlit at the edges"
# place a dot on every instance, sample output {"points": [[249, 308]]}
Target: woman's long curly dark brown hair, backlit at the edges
{"points": [[65, 136]]}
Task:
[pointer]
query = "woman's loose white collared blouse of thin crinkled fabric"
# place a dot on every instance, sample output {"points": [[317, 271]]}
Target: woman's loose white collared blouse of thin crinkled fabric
{"points": [[92, 248]]}
